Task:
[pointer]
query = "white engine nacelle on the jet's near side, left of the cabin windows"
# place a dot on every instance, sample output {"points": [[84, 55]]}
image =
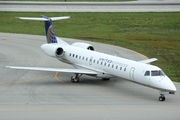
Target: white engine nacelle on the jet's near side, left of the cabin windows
{"points": [[53, 50]]}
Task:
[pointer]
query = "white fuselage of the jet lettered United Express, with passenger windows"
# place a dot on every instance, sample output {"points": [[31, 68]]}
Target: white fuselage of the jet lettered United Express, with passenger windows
{"points": [[108, 66]]}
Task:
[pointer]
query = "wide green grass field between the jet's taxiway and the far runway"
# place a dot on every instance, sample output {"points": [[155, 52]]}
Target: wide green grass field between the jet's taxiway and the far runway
{"points": [[156, 35]]}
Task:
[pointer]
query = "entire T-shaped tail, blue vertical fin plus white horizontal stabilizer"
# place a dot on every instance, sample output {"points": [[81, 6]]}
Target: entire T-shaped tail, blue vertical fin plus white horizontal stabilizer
{"points": [[50, 33]]}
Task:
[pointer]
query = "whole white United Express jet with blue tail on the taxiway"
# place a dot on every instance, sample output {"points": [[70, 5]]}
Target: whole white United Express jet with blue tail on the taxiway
{"points": [[100, 65]]}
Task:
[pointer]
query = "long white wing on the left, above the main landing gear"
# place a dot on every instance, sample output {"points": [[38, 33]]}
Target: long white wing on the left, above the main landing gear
{"points": [[80, 71]]}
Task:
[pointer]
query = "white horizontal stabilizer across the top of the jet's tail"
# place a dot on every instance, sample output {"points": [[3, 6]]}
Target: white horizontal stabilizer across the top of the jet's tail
{"points": [[44, 19]]}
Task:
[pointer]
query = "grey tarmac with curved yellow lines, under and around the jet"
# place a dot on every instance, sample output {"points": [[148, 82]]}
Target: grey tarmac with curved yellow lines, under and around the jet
{"points": [[35, 95]]}
